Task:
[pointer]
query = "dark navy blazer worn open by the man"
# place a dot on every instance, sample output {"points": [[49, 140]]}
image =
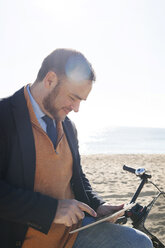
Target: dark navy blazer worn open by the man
{"points": [[20, 206]]}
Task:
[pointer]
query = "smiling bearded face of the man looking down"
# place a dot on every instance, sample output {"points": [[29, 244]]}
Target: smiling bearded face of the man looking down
{"points": [[65, 97]]}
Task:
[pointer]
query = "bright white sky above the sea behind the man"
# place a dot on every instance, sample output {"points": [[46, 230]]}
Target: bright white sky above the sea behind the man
{"points": [[123, 39]]}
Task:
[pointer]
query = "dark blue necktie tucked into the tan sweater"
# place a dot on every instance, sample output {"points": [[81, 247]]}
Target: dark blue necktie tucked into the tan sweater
{"points": [[50, 129]]}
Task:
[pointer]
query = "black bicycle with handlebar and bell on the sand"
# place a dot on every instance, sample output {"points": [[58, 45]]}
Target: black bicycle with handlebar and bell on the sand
{"points": [[139, 215]]}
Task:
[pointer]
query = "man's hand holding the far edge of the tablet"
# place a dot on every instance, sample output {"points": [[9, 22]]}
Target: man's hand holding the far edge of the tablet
{"points": [[107, 209]]}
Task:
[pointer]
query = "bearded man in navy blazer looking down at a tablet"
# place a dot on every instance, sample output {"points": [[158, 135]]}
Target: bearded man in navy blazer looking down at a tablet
{"points": [[44, 193]]}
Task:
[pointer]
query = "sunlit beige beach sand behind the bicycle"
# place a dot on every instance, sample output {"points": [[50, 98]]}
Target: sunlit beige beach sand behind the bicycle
{"points": [[116, 186]]}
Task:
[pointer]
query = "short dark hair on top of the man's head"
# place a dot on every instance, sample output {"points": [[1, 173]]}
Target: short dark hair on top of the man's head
{"points": [[67, 62]]}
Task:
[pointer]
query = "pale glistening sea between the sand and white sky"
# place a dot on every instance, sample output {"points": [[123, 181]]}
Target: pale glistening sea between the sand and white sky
{"points": [[123, 140]]}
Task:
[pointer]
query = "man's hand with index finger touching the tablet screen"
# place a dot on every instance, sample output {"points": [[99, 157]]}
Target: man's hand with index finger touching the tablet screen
{"points": [[69, 212]]}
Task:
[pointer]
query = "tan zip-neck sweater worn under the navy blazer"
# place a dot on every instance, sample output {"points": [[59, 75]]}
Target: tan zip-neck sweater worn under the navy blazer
{"points": [[52, 177]]}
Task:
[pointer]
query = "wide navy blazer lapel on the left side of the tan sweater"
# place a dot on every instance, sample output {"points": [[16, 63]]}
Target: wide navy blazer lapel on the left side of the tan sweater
{"points": [[24, 131]]}
